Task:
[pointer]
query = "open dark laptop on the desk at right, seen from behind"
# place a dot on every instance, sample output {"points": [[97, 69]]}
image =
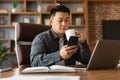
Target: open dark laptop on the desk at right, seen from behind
{"points": [[106, 55]]}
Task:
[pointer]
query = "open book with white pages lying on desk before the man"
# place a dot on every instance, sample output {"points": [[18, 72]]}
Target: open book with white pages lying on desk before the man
{"points": [[53, 68]]}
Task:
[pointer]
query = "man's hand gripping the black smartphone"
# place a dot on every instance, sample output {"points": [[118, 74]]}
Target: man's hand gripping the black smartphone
{"points": [[67, 51]]}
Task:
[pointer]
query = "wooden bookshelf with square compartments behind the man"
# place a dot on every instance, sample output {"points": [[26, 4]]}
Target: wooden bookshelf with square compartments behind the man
{"points": [[27, 9]]}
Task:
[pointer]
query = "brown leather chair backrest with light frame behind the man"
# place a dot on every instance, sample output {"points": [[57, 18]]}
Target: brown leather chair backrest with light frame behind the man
{"points": [[24, 35]]}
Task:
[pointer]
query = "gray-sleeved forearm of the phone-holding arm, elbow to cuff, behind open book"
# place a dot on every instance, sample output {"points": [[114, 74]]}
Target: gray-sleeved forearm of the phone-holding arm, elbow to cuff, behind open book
{"points": [[45, 59]]}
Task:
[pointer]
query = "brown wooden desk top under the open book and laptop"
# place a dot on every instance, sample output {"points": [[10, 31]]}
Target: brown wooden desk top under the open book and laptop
{"points": [[113, 74]]}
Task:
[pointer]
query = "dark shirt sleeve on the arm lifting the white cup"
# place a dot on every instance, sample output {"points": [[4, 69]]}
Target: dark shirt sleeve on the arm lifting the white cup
{"points": [[84, 53]]}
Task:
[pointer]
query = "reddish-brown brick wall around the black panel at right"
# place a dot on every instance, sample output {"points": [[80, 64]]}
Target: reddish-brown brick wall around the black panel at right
{"points": [[98, 12]]}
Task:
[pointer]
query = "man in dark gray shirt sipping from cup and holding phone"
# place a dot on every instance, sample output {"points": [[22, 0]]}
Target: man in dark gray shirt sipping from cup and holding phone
{"points": [[49, 48]]}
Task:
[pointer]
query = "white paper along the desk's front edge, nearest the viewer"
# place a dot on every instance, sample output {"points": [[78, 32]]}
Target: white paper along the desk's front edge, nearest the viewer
{"points": [[42, 78]]}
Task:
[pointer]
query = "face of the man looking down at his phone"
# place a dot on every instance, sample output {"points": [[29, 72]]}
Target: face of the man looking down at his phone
{"points": [[60, 22]]}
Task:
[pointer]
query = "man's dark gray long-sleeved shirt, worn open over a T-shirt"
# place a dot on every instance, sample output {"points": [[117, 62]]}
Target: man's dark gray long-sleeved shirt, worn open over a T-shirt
{"points": [[45, 50]]}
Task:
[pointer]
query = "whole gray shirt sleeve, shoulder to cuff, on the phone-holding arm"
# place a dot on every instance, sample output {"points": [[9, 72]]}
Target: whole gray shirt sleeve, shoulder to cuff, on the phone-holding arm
{"points": [[39, 55]]}
